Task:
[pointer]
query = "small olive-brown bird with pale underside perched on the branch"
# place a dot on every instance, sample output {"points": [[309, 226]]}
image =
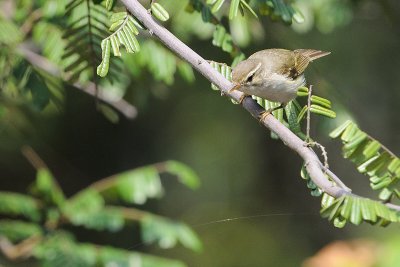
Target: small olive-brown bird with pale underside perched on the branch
{"points": [[274, 74]]}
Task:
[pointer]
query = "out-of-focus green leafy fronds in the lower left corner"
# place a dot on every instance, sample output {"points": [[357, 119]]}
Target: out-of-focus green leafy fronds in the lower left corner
{"points": [[91, 209]]}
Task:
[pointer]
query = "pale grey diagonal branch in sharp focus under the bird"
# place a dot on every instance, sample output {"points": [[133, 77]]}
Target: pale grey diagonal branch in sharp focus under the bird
{"points": [[314, 166]]}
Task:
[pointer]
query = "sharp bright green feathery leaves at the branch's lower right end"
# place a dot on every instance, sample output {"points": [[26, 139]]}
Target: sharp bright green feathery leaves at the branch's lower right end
{"points": [[373, 160]]}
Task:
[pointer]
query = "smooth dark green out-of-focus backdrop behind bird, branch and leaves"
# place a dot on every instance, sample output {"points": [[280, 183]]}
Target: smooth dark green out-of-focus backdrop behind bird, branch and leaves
{"points": [[249, 180]]}
